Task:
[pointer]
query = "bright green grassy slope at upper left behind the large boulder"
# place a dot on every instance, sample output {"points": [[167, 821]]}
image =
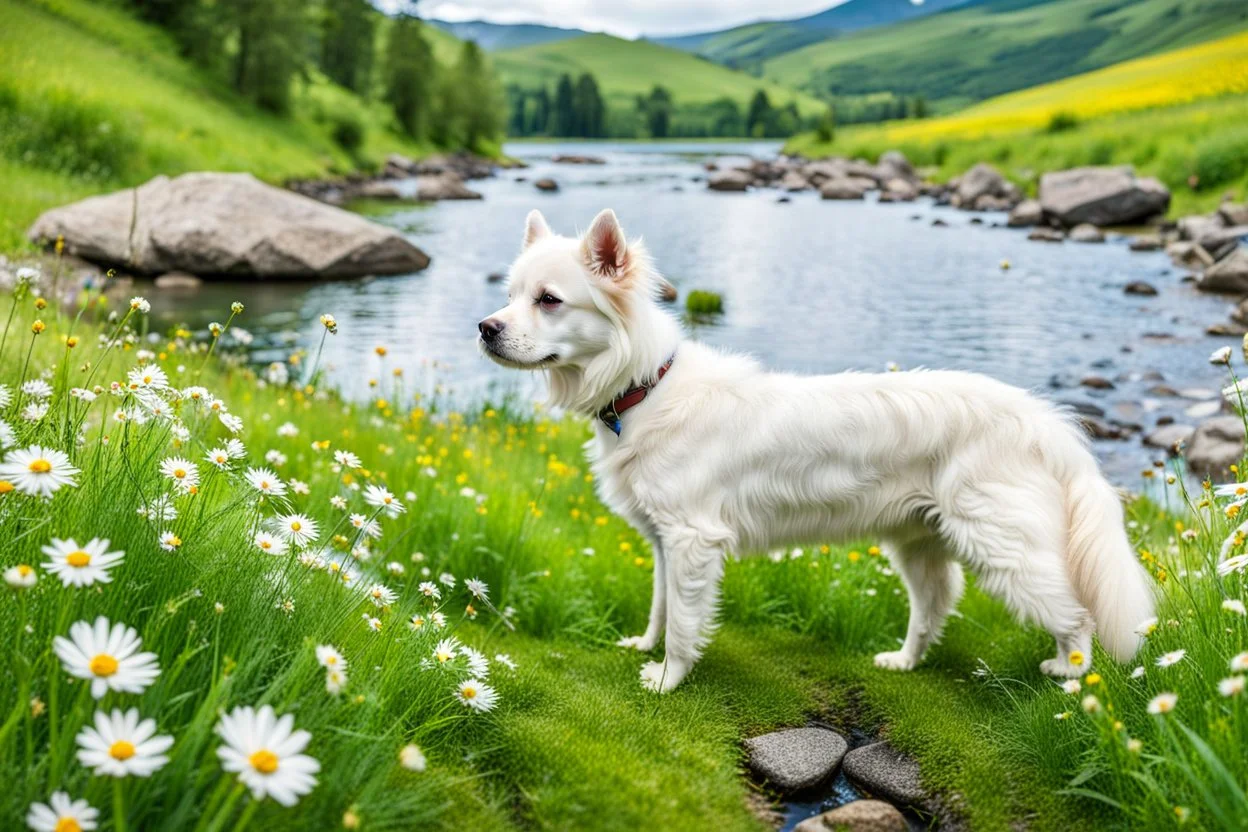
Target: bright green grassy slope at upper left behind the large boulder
{"points": [[93, 100]]}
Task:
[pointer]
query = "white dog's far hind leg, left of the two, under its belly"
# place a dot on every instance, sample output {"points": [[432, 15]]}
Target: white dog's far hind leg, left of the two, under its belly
{"points": [[935, 584]]}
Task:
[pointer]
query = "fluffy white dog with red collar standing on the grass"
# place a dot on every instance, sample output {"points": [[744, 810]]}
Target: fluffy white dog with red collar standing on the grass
{"points": [[708, 455]]}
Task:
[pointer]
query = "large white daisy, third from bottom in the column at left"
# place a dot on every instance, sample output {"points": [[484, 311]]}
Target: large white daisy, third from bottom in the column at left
{"points": [[108, 655]]}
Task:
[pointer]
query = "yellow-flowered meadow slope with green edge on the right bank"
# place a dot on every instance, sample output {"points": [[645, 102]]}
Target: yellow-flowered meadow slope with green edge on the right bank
{"points": [[1180, 117]]}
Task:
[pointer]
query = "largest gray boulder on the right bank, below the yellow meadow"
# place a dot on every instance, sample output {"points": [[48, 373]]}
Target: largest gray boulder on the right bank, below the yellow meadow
{"points": [[1104, 196]]}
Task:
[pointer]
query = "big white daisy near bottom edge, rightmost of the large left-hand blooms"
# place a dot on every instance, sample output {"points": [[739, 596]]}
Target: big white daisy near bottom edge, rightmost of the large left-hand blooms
{"points": [[266, 753]]}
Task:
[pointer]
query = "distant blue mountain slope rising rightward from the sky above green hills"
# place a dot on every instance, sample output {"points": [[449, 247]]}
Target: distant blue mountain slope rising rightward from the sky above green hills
{"points": [[753, 43]]}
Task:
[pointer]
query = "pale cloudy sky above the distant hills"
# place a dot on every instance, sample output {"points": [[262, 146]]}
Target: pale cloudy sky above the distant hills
{"points": [[622, 18]]}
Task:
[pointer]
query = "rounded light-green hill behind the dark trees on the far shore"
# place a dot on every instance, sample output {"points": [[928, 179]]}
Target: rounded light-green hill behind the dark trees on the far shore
{"points": [[626, 69]]}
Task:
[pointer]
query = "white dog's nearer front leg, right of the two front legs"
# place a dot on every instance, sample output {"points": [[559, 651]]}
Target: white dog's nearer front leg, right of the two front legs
{"points": [[695, 567]]}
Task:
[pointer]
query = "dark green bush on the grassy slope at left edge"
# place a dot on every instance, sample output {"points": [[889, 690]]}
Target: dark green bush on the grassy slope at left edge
{"points": [[61, 133]]}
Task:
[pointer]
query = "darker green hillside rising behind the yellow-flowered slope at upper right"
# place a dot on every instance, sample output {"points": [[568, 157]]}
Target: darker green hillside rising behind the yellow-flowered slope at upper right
{"points": [[995, 47]]}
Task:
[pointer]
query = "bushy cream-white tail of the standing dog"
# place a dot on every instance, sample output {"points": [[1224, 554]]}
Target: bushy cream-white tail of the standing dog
{"points": [[1109, 578]]}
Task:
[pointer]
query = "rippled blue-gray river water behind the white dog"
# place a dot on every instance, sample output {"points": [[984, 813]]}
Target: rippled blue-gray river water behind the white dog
{"points": [[809, 286]]}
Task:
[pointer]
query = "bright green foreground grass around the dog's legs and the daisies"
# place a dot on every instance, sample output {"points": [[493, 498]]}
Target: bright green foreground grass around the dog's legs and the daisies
{"points": [[502, 495]]}
